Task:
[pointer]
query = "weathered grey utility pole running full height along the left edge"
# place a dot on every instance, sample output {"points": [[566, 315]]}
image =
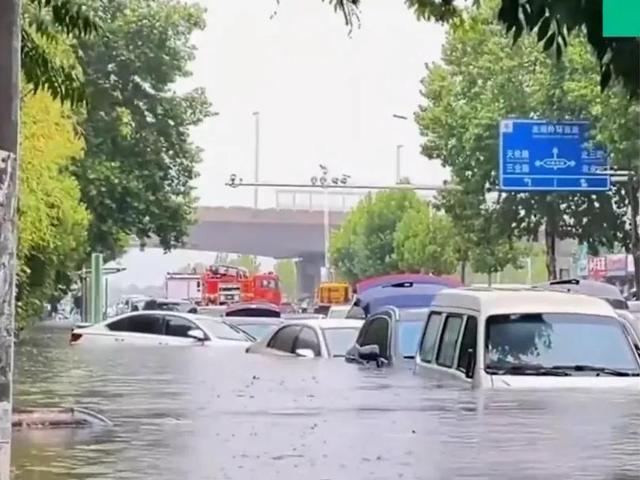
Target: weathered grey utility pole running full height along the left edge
{"points": [[9, 134]]}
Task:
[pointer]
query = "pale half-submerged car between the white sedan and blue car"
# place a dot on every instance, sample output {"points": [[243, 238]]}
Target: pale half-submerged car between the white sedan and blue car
{"points": [[326, 338]]}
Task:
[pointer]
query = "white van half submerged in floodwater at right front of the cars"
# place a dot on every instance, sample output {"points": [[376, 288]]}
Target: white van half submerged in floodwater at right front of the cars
{"points": [[523, 338]]}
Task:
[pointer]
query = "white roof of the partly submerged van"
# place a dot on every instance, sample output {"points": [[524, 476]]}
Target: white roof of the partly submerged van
{"points": [[520, 300]]}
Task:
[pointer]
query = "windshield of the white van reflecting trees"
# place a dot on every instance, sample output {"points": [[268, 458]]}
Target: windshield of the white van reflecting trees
{"points": [[551, 340]]}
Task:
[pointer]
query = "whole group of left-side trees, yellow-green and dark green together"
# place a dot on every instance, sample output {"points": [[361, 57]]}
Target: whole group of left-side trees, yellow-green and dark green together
{"points": [[106, 154]]}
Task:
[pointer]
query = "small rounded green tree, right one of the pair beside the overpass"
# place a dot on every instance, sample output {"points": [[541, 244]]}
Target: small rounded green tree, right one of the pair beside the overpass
{"points": [[425, 242]]}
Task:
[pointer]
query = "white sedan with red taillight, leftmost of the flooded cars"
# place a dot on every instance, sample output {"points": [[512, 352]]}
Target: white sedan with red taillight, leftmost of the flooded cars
{"points": [[162, 328]]}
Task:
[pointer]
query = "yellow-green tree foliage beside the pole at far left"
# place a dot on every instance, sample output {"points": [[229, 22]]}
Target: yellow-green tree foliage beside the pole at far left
{"points": [[52, 241]]}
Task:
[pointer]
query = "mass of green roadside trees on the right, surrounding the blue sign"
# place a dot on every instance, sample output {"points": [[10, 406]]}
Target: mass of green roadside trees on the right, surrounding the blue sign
{"points": [[481, 79]]}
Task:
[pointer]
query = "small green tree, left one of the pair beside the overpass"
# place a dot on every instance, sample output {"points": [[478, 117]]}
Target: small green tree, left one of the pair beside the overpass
{"points": [[365, 244]]}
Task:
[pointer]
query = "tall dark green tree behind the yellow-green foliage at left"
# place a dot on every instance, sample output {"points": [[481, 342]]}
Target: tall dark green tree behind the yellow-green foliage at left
{"points": [[137, 174]]}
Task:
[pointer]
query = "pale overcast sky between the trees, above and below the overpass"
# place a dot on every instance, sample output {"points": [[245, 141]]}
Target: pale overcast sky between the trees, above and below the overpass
{"points": [[323, 97]]}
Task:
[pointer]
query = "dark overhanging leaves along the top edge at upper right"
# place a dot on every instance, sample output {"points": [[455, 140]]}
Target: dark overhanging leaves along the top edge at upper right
{"points": [[552, 21]]}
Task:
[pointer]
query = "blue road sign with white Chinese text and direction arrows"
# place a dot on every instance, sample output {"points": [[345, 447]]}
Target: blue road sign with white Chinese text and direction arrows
{"points": [[539, 155]]}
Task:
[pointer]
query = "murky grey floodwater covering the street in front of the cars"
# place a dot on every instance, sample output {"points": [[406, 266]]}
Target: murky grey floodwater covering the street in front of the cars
{"points": [[191, 413]]}
